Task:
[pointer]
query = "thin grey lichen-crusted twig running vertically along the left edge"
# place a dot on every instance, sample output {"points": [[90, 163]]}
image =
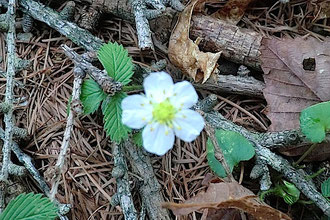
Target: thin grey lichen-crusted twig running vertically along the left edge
{"points": [[6, 149]]}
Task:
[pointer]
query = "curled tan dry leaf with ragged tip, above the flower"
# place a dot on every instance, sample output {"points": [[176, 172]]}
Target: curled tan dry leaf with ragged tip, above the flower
{"points": [[185, 54]]}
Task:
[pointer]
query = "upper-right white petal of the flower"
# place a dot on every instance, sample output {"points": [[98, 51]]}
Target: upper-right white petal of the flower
{"points": [[184, 95]]}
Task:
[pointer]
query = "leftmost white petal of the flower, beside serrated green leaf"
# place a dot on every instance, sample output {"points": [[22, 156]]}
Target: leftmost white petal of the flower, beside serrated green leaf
{"points": [[137, 111]]}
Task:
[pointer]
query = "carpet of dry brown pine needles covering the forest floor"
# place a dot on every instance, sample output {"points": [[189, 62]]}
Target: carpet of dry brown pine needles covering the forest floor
{"points": [[87, 183]]}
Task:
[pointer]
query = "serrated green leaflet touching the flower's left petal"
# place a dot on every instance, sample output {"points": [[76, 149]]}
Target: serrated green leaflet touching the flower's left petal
{"points": [[112, 111]]}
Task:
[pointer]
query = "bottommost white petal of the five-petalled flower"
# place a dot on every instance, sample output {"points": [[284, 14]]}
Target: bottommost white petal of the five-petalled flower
{"points": [[157, 138]]}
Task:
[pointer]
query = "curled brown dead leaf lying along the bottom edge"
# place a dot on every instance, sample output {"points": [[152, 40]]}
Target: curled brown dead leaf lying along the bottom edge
{"points": [[228, 195]]}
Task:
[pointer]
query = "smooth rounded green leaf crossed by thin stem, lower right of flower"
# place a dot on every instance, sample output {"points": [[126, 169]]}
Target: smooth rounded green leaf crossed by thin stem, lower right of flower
{"points": [[235, 148]]}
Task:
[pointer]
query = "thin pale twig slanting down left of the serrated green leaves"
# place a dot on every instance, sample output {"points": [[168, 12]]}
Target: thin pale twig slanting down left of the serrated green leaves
{"points": [[58, 169]]}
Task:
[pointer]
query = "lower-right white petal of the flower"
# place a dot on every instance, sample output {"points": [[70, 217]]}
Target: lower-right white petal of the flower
{"points": [[188, 124]]}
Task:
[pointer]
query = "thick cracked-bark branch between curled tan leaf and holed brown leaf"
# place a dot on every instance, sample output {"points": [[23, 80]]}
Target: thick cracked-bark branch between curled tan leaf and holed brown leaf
{"points": [[237, 44]]}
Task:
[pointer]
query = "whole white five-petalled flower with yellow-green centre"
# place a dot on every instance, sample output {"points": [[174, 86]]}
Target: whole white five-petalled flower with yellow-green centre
{"points": [[164, 111]]}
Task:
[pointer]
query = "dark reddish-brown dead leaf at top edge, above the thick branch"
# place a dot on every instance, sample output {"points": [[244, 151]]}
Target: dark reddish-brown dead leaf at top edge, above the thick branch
{"points": [[232, 11]]}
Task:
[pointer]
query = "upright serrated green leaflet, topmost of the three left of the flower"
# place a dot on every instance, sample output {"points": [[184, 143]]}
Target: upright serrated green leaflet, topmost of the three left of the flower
{"points": [[116, 62]]}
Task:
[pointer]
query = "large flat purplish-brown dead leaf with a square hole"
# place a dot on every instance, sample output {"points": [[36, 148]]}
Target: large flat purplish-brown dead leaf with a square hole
{"points": [[296, 76]]}
